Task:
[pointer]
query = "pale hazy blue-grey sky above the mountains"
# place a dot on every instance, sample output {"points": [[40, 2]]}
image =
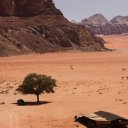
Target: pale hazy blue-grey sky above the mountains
{"points": [[80, 9]]}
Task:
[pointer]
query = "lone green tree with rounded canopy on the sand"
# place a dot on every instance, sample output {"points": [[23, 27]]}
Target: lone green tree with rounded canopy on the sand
{"points": [[37, 84]]}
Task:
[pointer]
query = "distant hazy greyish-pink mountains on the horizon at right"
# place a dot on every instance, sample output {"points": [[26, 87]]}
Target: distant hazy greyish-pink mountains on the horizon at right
{"points": [[98, 24]]}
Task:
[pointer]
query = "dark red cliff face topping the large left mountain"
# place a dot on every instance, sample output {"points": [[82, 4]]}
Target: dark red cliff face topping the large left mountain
{"points": [[27, 7]]}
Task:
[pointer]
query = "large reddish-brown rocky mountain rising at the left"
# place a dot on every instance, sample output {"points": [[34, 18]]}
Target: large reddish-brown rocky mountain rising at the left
{"points": [[28, 26]]}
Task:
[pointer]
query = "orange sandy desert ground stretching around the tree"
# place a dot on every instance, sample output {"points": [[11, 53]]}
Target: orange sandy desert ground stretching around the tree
{"points": [[87, 82]]}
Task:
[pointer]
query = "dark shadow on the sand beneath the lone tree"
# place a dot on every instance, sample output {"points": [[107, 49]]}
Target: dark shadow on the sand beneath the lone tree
{"points": [[33, 103]]}
